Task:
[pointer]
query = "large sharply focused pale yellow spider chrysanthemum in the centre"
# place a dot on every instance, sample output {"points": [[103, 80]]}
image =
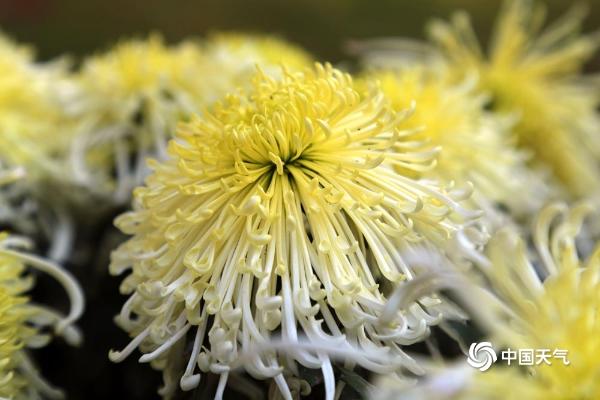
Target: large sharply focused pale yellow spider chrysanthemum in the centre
{"points": [[279, 215]]}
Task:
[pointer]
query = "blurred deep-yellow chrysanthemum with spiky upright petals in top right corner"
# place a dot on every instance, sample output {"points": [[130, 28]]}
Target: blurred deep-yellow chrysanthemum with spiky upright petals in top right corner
{"points": [[534, 75]]}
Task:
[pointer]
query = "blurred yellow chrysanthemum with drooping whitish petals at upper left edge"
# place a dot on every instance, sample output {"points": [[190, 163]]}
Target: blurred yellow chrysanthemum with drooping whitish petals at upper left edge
{"points": [[35, 137]]}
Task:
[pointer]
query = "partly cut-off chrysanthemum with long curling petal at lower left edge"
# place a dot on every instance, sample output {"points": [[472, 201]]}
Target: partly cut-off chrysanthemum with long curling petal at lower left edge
{"points": [[22, 323]]}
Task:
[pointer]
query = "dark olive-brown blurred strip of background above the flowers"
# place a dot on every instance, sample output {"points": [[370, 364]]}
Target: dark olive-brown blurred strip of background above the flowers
{"points": [[321, 26]]}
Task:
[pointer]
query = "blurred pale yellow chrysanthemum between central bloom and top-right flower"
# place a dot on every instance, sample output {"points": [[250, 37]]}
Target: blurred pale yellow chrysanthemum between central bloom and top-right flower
{"points": [[475, 146]]}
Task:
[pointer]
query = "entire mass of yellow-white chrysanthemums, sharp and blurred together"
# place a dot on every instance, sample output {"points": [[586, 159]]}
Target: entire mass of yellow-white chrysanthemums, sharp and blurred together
{"points": [[285, 214]]}
